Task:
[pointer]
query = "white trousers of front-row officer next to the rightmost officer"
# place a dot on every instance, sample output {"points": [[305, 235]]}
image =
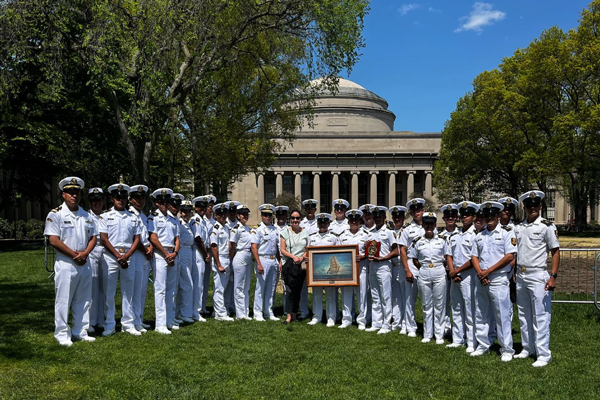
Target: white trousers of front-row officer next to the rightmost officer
{"points": [[494, 299]]}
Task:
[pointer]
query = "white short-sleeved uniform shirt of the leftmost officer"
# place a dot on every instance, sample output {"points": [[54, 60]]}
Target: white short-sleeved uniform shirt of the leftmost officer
{"points": [[74, 229]]}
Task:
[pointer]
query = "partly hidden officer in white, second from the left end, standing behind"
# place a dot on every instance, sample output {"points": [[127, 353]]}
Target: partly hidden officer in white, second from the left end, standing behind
{"points": [[96, 198]]}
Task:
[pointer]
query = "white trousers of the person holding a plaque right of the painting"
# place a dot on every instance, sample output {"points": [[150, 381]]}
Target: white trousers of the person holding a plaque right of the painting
{"points": [[380, 278]]}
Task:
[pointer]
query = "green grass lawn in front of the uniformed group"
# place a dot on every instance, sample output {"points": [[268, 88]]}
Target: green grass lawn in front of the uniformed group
{"points": [[218, 360]]}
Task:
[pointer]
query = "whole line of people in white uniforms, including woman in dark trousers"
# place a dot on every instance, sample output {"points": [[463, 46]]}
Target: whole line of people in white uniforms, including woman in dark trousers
{"points": [[462, 274]]}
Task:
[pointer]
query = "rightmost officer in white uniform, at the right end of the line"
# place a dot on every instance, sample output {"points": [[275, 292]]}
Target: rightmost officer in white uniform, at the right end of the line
{"points": [[535, 238]]}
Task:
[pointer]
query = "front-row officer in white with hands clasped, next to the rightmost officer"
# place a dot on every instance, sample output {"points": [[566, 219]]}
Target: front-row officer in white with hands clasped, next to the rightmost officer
{"points": [[495, 248]]}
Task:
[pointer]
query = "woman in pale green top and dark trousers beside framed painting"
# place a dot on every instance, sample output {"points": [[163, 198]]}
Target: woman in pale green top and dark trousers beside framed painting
{"points": [[293, 248]]}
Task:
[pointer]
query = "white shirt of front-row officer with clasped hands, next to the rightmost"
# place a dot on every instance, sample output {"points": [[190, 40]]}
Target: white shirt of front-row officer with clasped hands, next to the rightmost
{"points": [[491, 246]]}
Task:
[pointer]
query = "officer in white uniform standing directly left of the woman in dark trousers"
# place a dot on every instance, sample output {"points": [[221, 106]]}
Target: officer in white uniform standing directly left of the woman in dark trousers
{"points": [[265, 248]]}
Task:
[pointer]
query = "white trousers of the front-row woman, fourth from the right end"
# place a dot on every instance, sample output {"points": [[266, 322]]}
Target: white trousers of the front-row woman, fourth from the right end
{"points": [[432, 285]]}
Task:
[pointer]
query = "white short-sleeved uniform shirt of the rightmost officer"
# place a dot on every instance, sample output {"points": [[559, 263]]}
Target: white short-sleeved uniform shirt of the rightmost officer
{"points": [[534, 241]]}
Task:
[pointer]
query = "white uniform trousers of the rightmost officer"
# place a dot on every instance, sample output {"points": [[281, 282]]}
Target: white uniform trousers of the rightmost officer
{"points": [[534, 306]]}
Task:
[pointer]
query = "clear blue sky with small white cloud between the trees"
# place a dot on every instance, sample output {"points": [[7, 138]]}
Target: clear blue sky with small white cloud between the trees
{"points": [[422, 56]]}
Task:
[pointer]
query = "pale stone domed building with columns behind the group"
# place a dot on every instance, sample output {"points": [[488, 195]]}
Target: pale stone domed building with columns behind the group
{"points": [[349, 151]]}
